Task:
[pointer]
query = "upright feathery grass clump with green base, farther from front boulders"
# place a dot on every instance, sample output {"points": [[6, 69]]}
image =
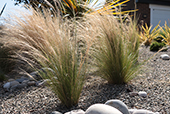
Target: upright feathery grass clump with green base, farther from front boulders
{"points": [[116, 49]]}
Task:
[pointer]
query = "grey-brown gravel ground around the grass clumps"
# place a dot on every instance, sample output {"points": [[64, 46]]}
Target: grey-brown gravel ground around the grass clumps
{"points": [[154, 78]]}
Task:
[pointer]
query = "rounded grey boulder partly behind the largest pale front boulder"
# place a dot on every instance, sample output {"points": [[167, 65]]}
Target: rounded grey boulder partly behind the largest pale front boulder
{"points": [[118, 105]]}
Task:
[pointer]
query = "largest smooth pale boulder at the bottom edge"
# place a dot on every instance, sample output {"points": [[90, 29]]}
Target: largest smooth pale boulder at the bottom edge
{"points": [[102, 109]]}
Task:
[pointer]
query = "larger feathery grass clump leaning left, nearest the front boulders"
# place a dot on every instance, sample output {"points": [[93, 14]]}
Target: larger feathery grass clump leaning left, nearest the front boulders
{"points": [[52, 41]]}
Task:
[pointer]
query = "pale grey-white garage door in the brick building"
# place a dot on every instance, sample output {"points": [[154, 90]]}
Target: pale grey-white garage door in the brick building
{"points": [[159, 13]]}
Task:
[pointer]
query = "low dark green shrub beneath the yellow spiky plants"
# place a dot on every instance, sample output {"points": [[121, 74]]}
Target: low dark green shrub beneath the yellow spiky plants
{"points": [[155, 46]]}
